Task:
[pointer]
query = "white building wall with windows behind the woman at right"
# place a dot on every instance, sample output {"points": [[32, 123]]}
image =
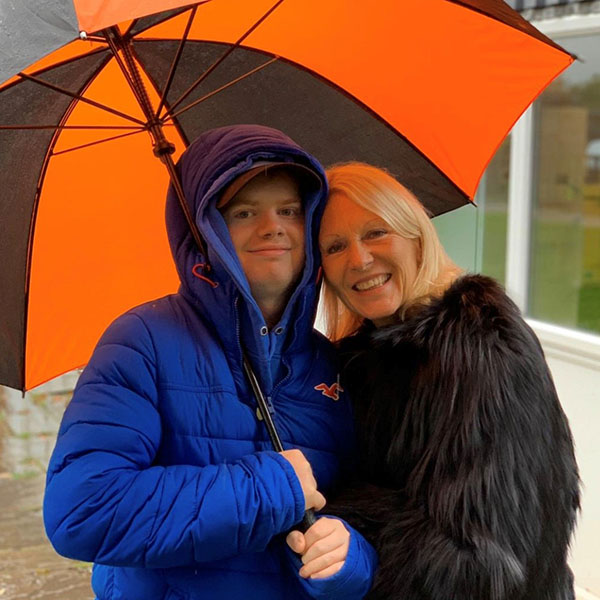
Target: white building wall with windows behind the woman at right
{"points": [[537, 229]]}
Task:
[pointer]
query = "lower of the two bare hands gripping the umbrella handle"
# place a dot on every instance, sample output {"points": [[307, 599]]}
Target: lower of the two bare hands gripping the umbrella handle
{"points": [[323, 548]]}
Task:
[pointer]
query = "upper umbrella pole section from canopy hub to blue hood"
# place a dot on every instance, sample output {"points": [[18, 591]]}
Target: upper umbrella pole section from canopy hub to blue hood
{"points": [[122, 50]]}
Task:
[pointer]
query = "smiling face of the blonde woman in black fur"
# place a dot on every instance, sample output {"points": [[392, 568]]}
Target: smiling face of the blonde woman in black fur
{"points": [[365, 261]]}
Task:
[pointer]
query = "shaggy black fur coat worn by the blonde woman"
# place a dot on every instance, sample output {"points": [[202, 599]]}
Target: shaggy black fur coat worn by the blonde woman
{"points": [[468, 485]]}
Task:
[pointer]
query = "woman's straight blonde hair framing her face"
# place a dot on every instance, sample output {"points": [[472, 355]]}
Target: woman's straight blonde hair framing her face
{"points": [[377, 191]]}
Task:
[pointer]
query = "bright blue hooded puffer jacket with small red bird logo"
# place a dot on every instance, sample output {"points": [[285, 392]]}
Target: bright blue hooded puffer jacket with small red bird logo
{"points": [[162, 473]]}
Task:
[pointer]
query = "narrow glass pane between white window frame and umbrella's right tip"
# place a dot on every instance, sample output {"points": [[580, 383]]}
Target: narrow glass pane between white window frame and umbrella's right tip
{"points": [[492, 199]]}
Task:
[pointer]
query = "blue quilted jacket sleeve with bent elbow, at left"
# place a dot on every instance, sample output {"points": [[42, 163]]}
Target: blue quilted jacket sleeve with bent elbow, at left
{"points": [[107, 502]]}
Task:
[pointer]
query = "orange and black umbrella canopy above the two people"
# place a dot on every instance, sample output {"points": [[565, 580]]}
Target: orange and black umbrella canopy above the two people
{"points": [[425, 88]]}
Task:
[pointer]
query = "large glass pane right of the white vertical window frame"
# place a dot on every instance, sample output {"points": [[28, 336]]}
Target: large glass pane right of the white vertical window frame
{"points": [[565, 252]]}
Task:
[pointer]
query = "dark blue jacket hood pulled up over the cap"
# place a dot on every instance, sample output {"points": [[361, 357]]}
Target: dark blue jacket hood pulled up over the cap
{"points": [[206, 168]]}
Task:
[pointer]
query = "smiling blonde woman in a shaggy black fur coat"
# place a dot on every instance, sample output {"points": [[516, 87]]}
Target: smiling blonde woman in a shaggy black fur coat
{"points": [[468, 482]]}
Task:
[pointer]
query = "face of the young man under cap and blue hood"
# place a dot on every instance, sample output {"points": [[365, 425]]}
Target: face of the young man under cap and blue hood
{"points": [[266, 223]]}
